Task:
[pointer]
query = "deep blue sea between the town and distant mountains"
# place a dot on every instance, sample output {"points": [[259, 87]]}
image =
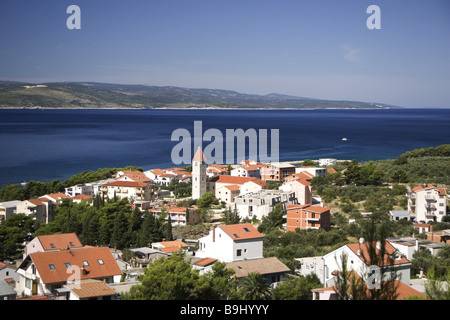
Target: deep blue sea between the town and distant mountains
{"points": [[45, 145]]}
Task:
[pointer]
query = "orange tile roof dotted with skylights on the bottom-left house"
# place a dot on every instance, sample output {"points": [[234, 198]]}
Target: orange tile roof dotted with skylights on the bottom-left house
{"points": [[101, 264]]}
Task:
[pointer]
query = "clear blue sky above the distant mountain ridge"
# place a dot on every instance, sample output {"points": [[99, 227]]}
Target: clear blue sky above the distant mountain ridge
{"points": [[315, 48]]}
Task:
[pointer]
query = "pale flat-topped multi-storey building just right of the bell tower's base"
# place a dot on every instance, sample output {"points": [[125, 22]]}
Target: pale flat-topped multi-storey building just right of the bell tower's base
{"points": [[260, 204]]}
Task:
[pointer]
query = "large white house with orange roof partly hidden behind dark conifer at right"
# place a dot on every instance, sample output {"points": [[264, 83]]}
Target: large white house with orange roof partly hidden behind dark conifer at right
{"points": [[358, 260]]}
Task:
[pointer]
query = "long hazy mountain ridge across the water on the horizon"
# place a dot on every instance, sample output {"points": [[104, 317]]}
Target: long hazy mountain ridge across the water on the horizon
{"points": [[91, 95]]}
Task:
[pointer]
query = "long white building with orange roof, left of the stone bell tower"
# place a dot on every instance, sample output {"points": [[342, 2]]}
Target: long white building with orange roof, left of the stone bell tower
{"points": [[130, 190]]}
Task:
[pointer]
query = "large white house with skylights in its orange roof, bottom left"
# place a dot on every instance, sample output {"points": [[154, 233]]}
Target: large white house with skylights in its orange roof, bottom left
{"points": [[46, 273]]}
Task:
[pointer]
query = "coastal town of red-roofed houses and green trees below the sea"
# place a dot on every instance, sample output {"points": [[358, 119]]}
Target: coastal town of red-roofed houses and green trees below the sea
{"points": [[267, 230]]}
